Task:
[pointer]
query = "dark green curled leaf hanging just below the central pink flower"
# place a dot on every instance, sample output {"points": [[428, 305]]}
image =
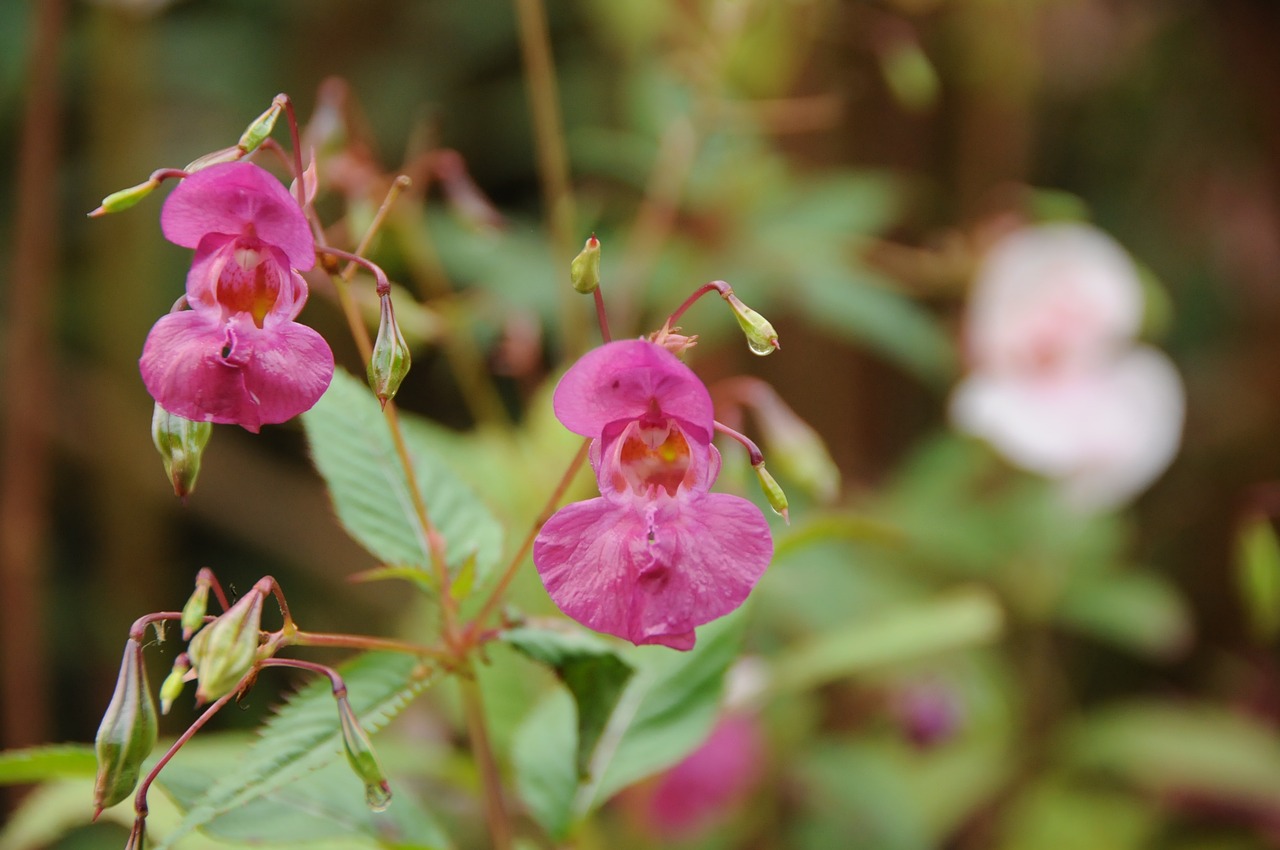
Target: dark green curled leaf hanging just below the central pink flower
{"points": [[592, 671]]}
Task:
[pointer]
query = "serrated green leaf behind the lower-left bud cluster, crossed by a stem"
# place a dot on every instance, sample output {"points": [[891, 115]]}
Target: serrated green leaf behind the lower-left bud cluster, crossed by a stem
{"points": [[305, 735]]}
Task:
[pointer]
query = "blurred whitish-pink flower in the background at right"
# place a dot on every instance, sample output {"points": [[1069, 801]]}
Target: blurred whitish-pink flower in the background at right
{"points": [[1058, 383]]}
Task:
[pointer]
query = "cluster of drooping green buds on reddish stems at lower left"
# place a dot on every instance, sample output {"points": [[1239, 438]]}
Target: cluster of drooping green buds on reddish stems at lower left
{"points": [[225, 656]]}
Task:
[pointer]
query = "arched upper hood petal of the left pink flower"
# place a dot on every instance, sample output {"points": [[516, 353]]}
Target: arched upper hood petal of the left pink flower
{"points": [[227, 198]]}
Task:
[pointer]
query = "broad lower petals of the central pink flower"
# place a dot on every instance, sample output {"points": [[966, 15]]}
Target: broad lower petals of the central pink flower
{"points": [[653, 572]]}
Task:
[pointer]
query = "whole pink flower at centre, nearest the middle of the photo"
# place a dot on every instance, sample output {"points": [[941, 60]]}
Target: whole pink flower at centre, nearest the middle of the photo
{"points": [[657, 554]]}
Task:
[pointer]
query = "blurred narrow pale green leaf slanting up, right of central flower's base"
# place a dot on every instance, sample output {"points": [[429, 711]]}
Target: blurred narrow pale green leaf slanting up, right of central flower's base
{"points": [[959, 620]]}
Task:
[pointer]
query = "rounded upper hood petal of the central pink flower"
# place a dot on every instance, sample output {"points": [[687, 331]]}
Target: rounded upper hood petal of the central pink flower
{"points": [[623, 381]]}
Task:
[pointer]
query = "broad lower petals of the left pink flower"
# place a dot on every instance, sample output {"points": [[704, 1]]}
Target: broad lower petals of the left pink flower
{"points": [[200, 368]]}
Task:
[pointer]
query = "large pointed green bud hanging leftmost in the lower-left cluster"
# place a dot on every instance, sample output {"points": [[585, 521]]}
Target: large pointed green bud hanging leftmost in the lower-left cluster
{"points": [[127, 734]]}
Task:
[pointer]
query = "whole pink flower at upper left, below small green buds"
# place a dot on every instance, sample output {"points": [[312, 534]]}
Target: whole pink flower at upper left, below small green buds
{"points": [[237, 357]]}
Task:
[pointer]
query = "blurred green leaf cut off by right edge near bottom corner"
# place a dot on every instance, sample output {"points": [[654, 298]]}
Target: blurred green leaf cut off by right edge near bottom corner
{"points": [[1205, 751]]}
